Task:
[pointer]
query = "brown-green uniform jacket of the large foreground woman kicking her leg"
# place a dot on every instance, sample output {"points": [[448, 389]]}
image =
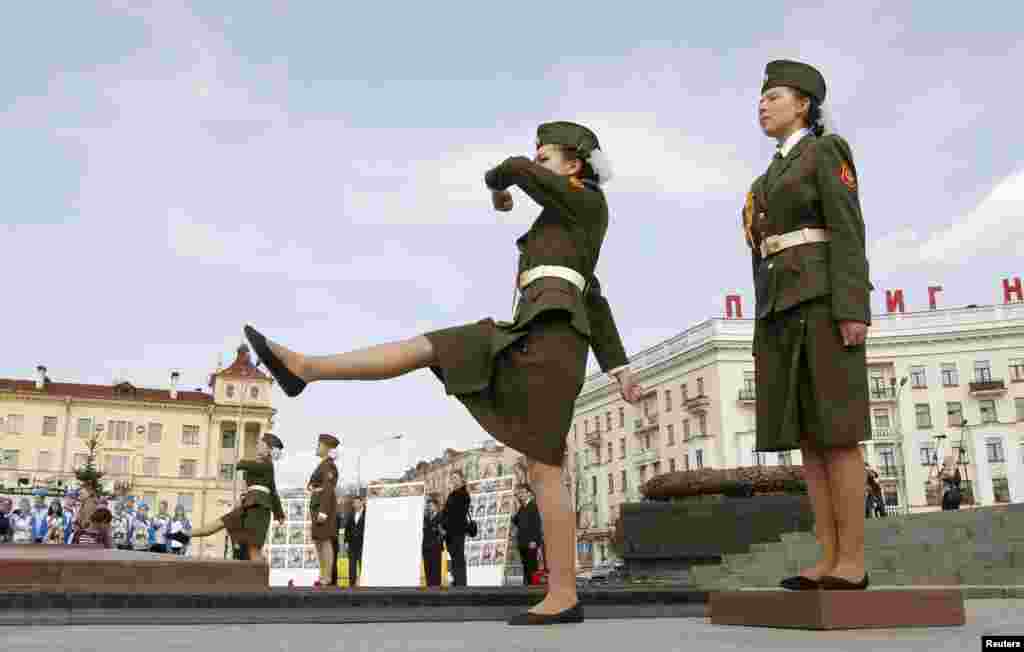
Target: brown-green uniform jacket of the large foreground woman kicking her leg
{"points": [[570, 233]]}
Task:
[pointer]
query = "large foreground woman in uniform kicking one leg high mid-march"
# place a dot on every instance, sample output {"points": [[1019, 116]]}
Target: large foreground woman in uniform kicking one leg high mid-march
{"points": [[521, 379]]}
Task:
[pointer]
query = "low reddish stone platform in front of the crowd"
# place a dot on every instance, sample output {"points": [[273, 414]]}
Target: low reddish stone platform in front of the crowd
{"points": [[86, 569]]}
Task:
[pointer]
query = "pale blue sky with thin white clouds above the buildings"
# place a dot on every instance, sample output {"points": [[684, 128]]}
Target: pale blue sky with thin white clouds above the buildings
{"points": [[173, 172]]}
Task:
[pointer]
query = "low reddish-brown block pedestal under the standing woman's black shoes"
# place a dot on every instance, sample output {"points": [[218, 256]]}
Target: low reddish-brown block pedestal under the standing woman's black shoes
{"points": [[911, 607]]}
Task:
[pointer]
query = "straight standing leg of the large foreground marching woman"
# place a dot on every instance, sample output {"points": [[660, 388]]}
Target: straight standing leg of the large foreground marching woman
{"points": [[560, 538]]}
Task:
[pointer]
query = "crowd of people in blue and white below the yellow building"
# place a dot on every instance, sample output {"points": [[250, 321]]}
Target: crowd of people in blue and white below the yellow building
{"points": [[81, 517]]}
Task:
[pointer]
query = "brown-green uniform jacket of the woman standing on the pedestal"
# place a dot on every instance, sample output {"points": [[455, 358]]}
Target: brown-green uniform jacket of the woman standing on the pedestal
{"points": [[816, 186]]}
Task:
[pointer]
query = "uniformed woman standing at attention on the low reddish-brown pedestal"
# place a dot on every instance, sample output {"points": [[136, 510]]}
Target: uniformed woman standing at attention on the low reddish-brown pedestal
{"points": [[806, 234]]}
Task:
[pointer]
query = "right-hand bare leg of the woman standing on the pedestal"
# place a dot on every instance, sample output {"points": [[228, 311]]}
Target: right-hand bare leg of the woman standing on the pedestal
{"points": [[846, 480]]}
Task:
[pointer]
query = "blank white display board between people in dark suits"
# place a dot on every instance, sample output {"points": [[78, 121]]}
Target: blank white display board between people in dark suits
{"points": [[394, 536]]}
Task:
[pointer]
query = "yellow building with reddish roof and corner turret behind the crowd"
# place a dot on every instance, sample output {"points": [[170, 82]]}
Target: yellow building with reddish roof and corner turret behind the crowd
{"points": [[158, 445]]}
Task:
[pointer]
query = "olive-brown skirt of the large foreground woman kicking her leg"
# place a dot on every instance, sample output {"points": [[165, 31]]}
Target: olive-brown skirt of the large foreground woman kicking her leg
{"points": [[521, 385]]}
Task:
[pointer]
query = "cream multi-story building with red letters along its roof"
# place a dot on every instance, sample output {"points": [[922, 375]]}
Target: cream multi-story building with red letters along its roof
{"points": [[956, 373]]}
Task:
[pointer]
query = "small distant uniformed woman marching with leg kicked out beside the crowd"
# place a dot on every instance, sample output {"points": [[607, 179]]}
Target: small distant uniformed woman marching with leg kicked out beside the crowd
{"points": [[248, 524]]}
